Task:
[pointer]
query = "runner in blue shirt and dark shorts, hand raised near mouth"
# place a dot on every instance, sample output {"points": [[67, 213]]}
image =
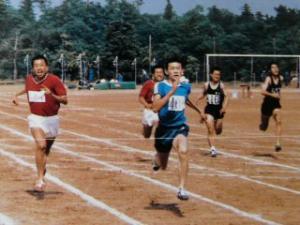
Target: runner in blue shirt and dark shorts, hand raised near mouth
{"points": [[170, 99]]}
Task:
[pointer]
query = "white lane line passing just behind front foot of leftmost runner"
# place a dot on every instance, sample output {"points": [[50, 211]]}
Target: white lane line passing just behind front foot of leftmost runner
{"points": [[89, 199]]}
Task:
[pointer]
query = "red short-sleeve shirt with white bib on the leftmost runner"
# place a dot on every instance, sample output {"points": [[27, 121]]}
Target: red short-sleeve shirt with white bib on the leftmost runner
{"points": [[40, 103]]}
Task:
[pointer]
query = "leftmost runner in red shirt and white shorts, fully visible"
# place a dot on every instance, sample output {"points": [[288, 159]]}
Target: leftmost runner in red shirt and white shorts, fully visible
{"points": [[44, 92]]}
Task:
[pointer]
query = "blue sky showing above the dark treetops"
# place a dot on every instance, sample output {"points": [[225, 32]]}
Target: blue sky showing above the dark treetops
{"points": [[182, 6]]}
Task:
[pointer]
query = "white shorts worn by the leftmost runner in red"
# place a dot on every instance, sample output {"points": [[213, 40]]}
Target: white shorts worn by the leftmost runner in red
{"points": [[49, 124]]}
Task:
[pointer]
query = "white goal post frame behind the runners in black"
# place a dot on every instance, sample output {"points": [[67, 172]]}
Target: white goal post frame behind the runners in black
{"points": [[252, 57]]}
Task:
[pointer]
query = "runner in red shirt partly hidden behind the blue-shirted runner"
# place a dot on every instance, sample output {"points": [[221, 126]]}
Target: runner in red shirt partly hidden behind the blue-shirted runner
{"points": [[150, 118]]}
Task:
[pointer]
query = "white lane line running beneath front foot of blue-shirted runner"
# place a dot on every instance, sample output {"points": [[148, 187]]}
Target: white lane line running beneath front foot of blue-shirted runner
{"points": [[172, 188]]}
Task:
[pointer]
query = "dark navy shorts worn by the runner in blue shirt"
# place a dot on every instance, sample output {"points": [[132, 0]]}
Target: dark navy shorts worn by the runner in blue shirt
{"points": [[164, 137]]}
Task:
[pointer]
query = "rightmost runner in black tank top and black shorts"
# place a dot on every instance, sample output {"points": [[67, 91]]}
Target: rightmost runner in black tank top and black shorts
{"points": [[271, 106]]}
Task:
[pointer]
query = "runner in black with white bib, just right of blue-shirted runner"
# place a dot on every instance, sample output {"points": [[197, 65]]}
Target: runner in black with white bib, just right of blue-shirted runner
{"points": [[215, 109]]}
